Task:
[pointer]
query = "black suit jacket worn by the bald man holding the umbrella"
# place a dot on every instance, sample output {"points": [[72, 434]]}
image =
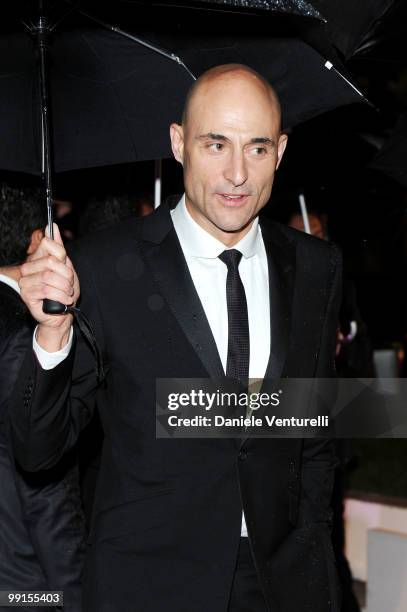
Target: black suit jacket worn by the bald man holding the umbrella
{"points": [[167, 513]]}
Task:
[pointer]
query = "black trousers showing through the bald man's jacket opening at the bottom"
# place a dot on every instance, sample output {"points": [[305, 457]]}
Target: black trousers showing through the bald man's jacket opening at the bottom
{"points": [[246, 594]]}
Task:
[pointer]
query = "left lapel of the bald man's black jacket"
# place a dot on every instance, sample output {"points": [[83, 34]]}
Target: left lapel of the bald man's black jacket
{"points": [[162, 253]]}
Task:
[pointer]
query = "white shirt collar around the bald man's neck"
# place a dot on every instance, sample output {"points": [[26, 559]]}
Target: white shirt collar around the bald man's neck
{"points": [[197, 242]]}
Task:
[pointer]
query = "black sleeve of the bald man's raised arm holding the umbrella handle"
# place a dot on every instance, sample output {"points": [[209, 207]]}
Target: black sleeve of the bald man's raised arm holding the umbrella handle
{"points": [[49, 408]]}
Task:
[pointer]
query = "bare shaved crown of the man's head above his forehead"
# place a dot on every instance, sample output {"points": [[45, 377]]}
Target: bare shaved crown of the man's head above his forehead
{"points": [[230, 74]]}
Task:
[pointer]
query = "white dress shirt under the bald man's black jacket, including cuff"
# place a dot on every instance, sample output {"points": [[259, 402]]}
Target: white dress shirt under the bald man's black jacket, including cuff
{"points": [[208, 272]]}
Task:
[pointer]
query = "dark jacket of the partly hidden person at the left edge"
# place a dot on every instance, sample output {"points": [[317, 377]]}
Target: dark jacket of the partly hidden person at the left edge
{"points": [[42, 535]]}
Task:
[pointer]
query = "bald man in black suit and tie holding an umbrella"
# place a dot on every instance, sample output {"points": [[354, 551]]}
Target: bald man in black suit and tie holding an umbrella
{"points": [[203, 290]]}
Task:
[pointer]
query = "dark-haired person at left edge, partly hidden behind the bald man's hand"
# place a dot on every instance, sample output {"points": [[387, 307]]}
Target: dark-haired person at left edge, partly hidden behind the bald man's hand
{"points": [[41, 521]]}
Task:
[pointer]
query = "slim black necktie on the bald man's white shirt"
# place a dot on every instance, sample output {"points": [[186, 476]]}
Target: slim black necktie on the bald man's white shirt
{"points": [[237, 365]]}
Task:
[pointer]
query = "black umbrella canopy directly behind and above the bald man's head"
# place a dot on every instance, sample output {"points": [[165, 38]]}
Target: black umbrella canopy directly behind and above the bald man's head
{"points": [[112, 99]]}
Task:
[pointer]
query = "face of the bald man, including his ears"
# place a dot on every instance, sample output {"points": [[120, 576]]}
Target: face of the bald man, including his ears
{"points": [[230, 148]]}
